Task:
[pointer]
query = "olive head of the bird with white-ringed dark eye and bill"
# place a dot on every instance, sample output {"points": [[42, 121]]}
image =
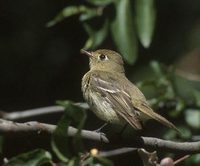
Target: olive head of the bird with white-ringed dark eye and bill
{"points": [[105, 60]]}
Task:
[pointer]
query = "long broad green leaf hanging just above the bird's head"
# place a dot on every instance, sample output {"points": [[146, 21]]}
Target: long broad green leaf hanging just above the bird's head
{"points": [[123, 32]]}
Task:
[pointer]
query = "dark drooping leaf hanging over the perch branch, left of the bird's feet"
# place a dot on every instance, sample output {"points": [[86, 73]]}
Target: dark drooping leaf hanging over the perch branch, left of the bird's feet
{"points": [[60, 141]]}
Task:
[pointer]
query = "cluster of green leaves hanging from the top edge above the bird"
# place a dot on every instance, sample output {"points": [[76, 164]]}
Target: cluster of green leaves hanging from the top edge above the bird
{"points": [[120, 20]]}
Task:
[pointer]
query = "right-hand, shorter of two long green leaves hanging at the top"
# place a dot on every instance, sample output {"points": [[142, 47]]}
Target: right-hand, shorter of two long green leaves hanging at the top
{"points": [[145, 20]]}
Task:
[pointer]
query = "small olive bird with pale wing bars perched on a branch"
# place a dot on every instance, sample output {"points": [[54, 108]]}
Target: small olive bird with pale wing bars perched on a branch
{"points": [[111, 96]]}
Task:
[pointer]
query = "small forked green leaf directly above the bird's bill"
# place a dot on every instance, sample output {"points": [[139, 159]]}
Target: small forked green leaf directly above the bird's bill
{"points": [[96, 37]]}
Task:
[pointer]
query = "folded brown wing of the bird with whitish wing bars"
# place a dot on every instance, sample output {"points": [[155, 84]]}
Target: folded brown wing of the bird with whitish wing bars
{"points": [[115, 93]]}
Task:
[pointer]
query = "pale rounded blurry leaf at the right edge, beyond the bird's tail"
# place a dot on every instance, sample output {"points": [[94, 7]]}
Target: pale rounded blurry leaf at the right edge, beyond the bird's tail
{"points": [[192, 117]]}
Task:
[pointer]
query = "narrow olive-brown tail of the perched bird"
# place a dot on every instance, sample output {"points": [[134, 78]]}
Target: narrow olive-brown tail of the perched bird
{"points": [[146, 110]]}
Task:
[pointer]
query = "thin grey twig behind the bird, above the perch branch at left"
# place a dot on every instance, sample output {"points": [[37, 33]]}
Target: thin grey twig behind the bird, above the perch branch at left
{"points": [[18, 115]]}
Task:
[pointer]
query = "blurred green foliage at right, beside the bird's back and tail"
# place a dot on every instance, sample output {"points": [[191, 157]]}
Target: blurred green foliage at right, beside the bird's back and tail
{"points": [[169, 100]]}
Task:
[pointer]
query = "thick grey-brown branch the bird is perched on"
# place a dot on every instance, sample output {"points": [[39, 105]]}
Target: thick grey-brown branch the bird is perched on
{"points": [[10, 128]]}
